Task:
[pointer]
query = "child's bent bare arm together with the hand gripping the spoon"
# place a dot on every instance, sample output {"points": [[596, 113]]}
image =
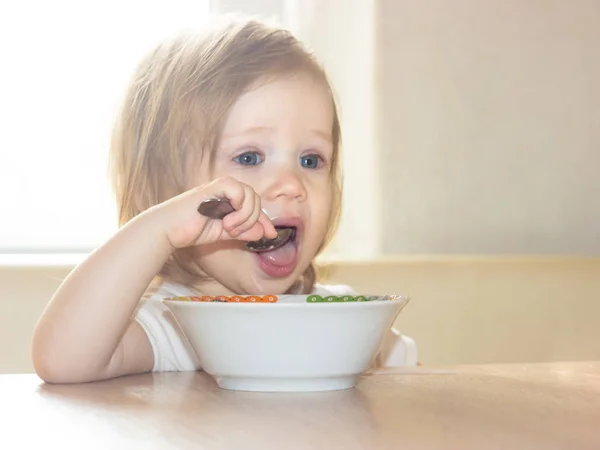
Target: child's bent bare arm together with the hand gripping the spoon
{"points": [[87, 333]]}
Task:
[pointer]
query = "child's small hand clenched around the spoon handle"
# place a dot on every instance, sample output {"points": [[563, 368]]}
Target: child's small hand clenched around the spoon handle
{"points": [[185, 226]]}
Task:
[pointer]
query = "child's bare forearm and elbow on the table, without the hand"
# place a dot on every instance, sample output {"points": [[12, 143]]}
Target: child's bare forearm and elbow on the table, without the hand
{"points": [[86, 332]]}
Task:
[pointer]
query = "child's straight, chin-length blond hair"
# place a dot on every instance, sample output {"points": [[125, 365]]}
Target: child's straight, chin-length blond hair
{"points": [[176, 104]]}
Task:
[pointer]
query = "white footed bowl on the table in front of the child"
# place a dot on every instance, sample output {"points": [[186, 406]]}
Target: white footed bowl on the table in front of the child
{"points": [[286, 346]]}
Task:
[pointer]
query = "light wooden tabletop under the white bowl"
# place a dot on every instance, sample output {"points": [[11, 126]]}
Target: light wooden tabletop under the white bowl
{"points": [[546, 406]]}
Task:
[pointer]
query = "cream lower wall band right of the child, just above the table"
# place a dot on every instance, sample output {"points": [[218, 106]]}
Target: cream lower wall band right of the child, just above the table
{"points": [[468, 310]]}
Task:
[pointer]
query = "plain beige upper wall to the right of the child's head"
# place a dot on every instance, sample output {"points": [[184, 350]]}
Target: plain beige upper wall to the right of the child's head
{"points": [[488, 115]]}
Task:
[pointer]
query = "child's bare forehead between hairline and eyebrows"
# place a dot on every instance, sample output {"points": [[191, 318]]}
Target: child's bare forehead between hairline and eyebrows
{"points": [[298, 103]]}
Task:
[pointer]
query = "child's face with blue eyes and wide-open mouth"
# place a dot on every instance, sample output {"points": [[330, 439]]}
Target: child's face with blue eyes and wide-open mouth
{"points": [[277, 139]]}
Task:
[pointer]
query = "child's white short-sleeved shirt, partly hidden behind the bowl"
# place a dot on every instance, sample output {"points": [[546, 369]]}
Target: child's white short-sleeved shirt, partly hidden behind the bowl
{"points": [[173, 352]]}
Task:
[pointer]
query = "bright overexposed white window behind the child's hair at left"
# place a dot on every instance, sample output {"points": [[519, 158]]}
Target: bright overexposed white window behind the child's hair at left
{"points": [[66, 65]]}
